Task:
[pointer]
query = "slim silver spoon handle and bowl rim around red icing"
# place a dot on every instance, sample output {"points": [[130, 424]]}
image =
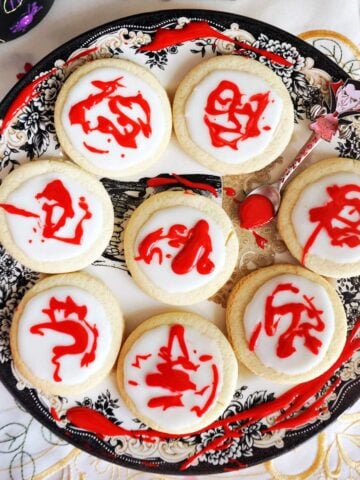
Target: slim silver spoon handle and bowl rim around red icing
{"points": [[273, 190]]}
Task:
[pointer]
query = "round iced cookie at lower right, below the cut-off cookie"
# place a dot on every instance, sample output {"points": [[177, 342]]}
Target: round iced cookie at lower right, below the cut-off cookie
{"points": [[286, 323]]}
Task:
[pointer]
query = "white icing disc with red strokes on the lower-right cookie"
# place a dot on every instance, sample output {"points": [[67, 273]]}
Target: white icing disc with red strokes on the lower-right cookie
{"points": [[302, 359]]}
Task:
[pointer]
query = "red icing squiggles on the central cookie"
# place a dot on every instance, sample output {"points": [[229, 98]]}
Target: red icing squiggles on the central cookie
{"points": [[194, 244]]}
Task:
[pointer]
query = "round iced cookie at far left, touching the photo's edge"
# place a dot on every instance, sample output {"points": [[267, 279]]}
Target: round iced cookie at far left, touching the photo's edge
{"points": [[54, 217]]}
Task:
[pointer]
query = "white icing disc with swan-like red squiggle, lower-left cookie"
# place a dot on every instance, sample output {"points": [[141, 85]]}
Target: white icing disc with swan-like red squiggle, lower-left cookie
{"points": [[38, 351]]}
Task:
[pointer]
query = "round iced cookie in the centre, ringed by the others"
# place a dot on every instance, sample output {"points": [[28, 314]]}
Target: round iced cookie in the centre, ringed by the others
{"points": [[180, 248]]}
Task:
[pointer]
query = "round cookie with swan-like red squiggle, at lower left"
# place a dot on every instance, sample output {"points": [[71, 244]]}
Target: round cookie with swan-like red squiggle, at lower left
{"points": [[66, 333]]}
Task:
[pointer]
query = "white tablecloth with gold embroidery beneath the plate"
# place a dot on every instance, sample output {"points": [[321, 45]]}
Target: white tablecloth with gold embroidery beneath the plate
{"points": [[333, 454]]}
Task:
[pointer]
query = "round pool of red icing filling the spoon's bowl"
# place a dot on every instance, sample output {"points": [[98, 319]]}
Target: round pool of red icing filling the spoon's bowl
{"points": [[255, 210]]}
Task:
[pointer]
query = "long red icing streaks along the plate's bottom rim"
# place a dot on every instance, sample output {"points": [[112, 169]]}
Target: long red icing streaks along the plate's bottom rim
{"points": [[291, 404]]}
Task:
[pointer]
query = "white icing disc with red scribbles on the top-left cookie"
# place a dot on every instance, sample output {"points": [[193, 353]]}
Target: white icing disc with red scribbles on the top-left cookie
{"points": [[122, 117]]}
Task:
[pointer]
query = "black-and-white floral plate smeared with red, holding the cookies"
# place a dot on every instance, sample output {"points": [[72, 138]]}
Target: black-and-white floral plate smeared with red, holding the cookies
{"points": [[250, 430]]}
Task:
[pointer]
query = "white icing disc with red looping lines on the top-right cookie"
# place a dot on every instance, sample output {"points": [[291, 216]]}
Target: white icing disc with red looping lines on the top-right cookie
{"points": [[247, 84]]}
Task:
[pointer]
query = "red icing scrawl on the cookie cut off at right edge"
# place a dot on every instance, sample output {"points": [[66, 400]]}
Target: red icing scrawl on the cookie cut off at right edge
{"points": [[329, 216]]}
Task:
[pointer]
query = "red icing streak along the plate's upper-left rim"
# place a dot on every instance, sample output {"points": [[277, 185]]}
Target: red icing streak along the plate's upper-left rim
{"points": [[31, 91]]}
